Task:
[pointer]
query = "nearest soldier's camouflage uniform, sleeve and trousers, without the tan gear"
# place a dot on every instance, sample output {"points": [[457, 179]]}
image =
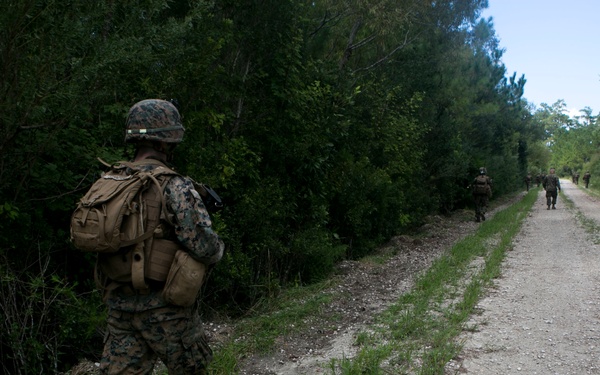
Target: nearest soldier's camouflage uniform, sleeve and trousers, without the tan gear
{"points": [[142, 326]]}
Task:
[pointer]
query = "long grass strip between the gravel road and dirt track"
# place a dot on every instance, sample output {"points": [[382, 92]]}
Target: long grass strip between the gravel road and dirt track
{"points": [[418, 333]]}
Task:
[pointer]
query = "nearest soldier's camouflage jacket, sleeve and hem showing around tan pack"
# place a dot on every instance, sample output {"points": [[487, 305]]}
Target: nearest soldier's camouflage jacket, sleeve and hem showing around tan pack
{"points": [[193, 230]]}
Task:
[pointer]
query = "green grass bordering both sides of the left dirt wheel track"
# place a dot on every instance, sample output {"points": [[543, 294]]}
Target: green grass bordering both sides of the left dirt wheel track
{"points": [[417, 334]]}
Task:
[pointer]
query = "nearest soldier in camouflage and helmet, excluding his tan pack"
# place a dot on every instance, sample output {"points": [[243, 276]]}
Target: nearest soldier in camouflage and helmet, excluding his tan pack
{"points": [[142, 325]]}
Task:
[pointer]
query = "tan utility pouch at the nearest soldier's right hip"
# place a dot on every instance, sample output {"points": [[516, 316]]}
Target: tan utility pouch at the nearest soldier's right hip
{"points": [[184, 281]]}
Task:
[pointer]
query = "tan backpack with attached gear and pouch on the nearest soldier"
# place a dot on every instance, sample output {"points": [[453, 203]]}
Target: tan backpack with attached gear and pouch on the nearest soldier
{"points": [[119, 219]]}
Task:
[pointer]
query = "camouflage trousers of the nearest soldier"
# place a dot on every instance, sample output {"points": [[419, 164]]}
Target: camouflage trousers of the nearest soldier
{"points": [[135, 341]]}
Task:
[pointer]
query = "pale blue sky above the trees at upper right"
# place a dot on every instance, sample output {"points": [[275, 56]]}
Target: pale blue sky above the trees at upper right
{"points": [[556, 45]]}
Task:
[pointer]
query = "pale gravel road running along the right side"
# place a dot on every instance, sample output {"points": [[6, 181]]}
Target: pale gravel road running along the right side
{"points": [[542, 316]]}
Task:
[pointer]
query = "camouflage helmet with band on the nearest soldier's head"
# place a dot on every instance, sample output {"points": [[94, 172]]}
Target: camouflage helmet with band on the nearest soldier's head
{"points": [[154, 120]]}
